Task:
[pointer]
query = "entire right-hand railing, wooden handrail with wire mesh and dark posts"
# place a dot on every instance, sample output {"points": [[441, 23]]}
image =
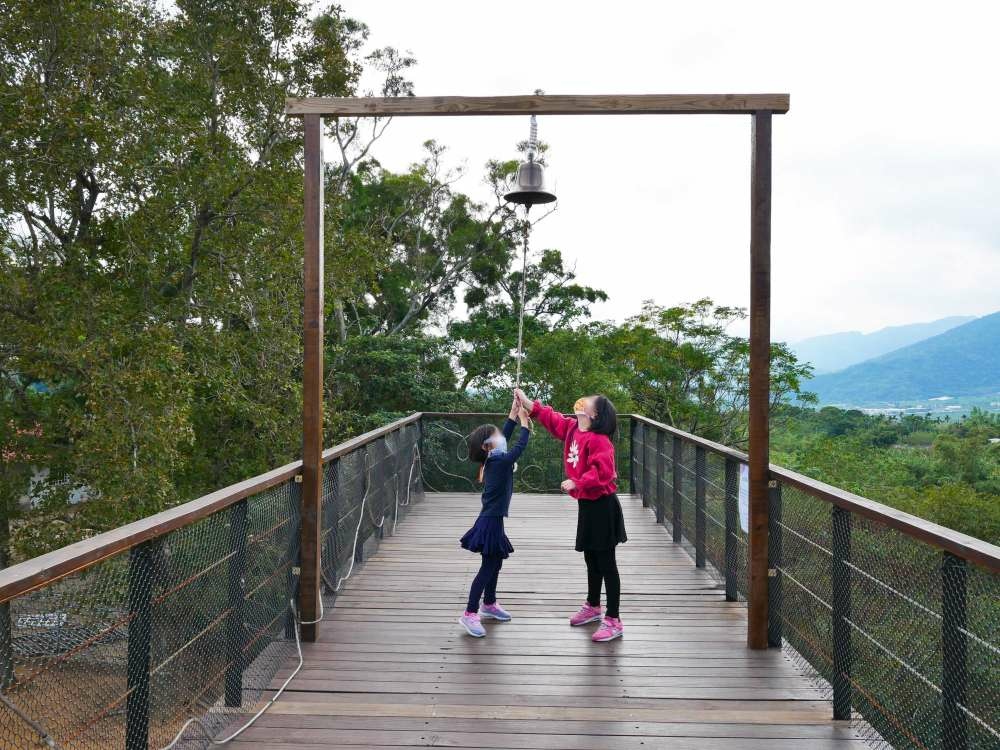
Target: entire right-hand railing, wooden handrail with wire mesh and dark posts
{"points": [[897, 619]]}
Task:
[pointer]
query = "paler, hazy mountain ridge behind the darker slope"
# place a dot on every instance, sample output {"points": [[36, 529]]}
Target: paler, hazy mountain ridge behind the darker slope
{"points": [[836, 351]]}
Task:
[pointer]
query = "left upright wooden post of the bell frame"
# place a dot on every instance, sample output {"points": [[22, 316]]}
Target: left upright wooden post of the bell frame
{"points": [[312, 379]]}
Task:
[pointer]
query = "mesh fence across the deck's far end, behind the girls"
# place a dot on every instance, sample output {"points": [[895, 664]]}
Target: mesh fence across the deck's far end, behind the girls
{"points": [[447, 468]]}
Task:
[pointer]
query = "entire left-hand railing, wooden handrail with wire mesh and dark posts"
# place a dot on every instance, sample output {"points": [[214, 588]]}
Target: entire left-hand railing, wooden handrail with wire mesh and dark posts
{"points": [[170, 631]]}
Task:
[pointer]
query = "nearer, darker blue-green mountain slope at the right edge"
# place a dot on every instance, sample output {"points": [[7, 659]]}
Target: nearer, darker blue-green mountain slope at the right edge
{"points": [[964, 361]]}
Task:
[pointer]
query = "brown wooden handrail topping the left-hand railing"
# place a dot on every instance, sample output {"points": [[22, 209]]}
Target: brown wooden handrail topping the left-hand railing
{"points": [[48, 568]]}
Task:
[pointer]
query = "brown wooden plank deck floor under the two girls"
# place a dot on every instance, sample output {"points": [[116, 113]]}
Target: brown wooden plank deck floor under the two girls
{"points": [[394, 669]]}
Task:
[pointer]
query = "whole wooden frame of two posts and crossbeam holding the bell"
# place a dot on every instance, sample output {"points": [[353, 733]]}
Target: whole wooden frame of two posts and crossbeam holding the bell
{"points": [[759, 107]]}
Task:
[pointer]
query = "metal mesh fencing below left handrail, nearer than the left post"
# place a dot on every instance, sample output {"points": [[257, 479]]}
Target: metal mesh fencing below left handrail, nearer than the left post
{"points": [[193, 624]]}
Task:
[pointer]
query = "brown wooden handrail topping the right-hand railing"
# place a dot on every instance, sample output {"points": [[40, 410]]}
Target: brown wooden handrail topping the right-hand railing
{"points": [[974, 550]]}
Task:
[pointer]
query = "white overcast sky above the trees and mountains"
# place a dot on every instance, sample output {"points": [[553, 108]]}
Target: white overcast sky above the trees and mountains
{"points": [[886, 168]]}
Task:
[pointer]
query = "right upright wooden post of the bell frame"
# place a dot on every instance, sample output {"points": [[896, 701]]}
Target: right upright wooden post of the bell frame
{"points": [[760, 365]]}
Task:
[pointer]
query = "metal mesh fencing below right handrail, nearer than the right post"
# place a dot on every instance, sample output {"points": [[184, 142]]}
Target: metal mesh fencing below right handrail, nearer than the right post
{"points": [[902, 634]]}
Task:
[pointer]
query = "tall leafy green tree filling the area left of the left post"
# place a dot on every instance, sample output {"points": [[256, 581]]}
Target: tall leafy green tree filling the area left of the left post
{"points": [[150, 240]]}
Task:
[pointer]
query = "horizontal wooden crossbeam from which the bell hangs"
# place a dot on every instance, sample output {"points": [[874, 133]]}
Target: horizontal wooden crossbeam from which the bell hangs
{"points": [[610, 104]]}
